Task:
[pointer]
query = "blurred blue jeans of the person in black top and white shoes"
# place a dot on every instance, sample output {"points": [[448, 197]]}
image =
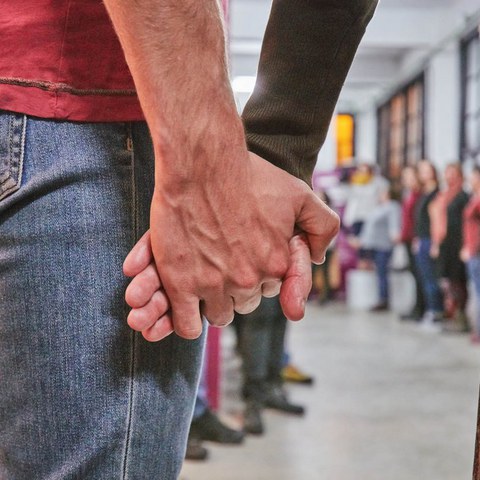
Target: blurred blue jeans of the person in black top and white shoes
{"points": [[426, 271]]}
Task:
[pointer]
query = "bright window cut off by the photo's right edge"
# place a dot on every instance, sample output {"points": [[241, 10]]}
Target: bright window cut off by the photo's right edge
{"points": [[470, 121]]}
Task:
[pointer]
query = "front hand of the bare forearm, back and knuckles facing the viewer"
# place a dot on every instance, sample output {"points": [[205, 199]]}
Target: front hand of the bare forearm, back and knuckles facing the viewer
{"points": [[221, 241]]}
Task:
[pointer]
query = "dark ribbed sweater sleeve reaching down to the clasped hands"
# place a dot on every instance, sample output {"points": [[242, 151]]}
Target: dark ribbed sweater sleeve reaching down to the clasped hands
{"points": [[307, 51]]}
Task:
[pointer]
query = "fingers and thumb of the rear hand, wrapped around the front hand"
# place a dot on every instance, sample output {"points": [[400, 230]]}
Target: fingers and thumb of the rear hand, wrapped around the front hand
{"points": [[150, 312]]}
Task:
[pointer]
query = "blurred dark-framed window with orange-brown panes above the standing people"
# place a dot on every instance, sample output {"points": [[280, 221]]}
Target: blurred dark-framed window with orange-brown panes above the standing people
{"points": [[400, 127]]}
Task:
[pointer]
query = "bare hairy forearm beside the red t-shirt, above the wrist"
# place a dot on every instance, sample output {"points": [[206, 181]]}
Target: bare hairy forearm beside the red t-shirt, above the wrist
{"points": [[175, 50]]}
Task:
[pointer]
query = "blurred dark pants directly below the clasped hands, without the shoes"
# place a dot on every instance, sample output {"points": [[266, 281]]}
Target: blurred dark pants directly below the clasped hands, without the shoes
{"points": [[261, 347]]}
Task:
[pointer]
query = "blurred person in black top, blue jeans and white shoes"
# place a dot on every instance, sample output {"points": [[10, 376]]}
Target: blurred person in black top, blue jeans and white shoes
{"points": [[422, 245]]}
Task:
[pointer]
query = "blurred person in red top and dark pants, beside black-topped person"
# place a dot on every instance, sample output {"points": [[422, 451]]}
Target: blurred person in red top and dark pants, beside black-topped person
{"points": [[412, 194]]}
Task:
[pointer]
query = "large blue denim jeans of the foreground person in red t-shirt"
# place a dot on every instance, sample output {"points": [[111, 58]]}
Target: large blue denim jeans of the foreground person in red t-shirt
{"points": [[82, 396]]}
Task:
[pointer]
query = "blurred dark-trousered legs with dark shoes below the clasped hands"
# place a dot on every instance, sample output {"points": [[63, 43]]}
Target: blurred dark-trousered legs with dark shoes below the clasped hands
{"points": [[262, 351]]}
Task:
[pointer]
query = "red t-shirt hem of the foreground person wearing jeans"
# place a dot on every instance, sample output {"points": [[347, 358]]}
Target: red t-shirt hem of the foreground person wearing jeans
{"points": [[62, 59]]}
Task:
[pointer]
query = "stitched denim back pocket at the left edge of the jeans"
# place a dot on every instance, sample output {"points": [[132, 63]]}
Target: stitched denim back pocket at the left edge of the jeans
{"points": [[12, 142]]}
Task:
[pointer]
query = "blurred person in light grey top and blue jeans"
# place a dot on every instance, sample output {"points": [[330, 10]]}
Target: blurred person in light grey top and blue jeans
{"points": [[379, 234]]}
